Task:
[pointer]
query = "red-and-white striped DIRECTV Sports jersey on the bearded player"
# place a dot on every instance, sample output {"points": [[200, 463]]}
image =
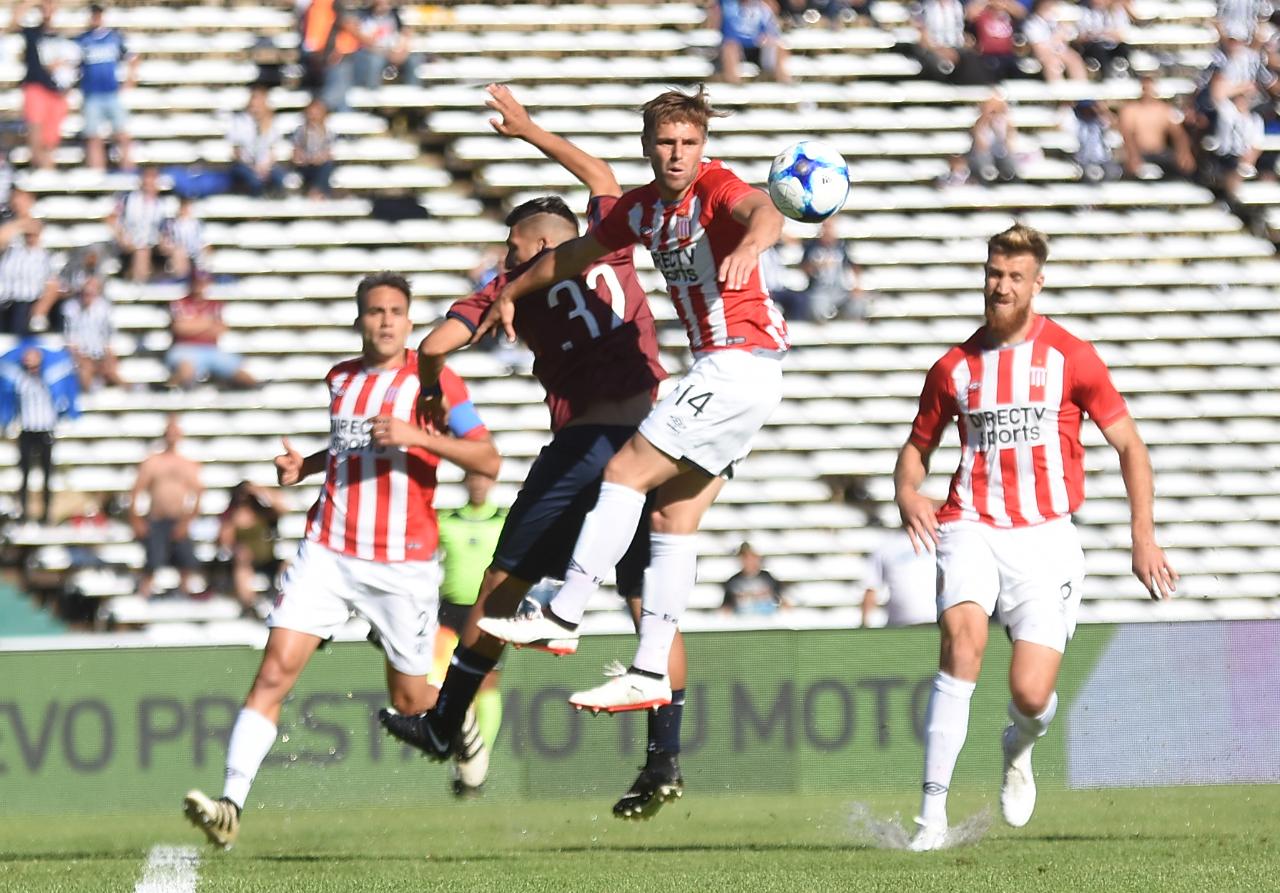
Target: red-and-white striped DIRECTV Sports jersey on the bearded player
{"points": [[1020, 411]]}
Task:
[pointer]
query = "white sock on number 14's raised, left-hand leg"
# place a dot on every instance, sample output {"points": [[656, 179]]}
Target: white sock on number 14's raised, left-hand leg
{"points": [[607, 532]]}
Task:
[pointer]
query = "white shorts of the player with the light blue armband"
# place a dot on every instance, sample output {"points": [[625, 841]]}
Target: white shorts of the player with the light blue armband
{"points": [[323, 589]]}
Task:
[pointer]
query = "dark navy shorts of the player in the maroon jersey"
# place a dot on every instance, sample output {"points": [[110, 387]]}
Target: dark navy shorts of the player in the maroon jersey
{"points": [[542, 528]]}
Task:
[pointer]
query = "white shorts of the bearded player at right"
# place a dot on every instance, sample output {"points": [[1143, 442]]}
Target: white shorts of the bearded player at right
{"points": [[1030, 578]]}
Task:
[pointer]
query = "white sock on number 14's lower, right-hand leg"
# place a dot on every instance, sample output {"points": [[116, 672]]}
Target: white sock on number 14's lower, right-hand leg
{"points": [[668, 584]]}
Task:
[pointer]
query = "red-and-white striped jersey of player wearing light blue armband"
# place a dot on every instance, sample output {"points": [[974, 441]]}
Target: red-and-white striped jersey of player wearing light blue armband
{"points": [[376, 502]]}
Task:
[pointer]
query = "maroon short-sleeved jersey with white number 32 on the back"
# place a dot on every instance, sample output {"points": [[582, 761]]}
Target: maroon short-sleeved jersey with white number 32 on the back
{"points": [[593, 337]]}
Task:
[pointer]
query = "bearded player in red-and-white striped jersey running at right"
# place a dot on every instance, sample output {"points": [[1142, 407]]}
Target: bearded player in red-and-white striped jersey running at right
{"points": [[1005, 544]]}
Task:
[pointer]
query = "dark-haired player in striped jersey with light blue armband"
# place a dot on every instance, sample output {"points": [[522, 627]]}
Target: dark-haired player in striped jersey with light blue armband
{"points": [[371, 539]]}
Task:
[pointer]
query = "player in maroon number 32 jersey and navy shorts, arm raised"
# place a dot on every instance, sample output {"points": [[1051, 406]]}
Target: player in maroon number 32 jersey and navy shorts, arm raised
{"points": [[596, 351]]}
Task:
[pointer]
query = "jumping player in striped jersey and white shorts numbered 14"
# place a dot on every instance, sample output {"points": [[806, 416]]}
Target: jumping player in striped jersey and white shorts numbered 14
{"points": [[706, 231]]}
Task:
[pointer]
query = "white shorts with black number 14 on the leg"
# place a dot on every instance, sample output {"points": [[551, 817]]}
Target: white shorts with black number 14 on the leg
{"points": [[716, 410]]}
